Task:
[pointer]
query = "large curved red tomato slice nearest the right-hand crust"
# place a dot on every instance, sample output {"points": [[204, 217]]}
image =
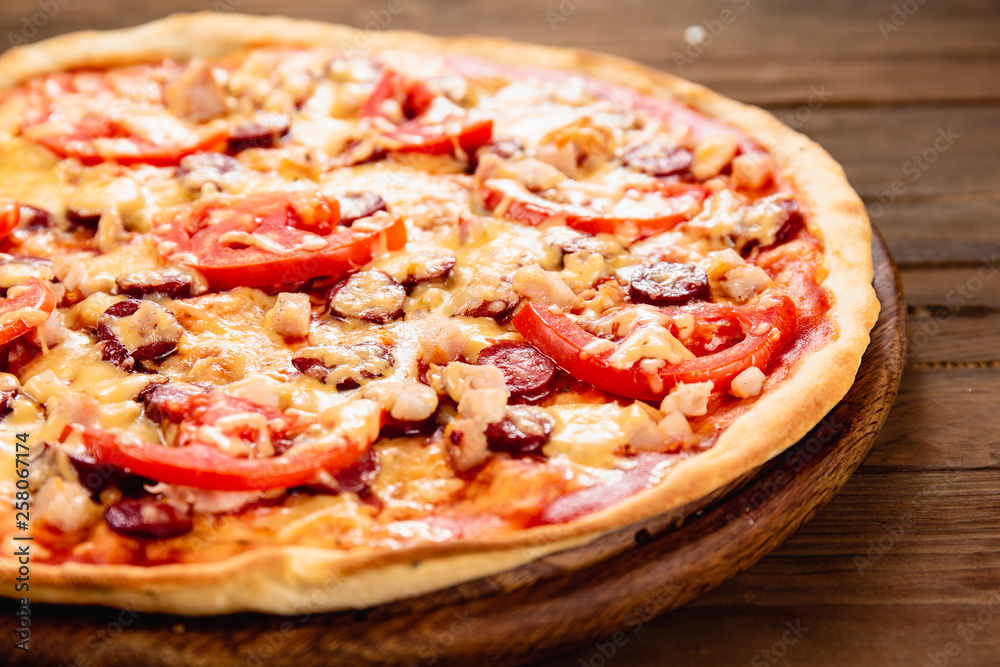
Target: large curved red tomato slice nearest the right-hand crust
{"points": [[556, 335]]}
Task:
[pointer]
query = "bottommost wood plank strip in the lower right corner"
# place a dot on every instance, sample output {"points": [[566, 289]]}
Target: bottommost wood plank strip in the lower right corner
{"points": [[892, 635]]}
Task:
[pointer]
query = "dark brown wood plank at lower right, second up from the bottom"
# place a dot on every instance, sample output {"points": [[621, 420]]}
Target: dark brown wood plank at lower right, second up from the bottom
{"points": [[915, 537]]}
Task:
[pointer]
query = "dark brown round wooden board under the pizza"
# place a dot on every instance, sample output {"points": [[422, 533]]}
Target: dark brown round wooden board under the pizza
{"points": [[551, 605]]}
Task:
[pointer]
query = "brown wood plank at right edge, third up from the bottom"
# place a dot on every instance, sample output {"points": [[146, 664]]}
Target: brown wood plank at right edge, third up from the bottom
{"points": [[942, 418]]}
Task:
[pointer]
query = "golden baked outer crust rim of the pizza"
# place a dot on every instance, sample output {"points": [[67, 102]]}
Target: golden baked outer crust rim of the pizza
{"points": [[294, 580]]}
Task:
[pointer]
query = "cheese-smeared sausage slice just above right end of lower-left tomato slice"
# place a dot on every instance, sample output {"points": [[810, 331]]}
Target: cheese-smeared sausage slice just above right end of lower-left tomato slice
{"points": [[345, 366]]}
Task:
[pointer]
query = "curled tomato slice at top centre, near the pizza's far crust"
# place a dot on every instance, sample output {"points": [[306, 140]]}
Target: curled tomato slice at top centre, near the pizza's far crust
{"points": [[442, 131]]}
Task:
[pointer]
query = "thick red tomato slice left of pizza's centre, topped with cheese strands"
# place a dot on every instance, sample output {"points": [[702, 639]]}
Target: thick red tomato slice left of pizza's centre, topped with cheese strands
{"points": [[274, 239]]}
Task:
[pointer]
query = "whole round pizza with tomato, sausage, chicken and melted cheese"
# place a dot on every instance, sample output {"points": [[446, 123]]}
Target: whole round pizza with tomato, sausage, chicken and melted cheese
{"points": [[298, 318]]}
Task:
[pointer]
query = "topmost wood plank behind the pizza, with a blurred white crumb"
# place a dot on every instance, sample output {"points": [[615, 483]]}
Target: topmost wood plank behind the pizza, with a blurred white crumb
{"points": [[955, 48]]}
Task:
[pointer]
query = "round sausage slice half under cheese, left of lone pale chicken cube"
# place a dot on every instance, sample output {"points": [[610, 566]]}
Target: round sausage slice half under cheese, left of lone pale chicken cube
{"points": [[136, 329]]}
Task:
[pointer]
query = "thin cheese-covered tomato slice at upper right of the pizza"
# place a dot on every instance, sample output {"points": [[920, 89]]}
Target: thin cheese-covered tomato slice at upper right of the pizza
{"points": [[677, 200]]}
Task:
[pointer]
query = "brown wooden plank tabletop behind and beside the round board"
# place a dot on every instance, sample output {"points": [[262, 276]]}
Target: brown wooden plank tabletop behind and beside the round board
{"points": [[902, 568]]}
